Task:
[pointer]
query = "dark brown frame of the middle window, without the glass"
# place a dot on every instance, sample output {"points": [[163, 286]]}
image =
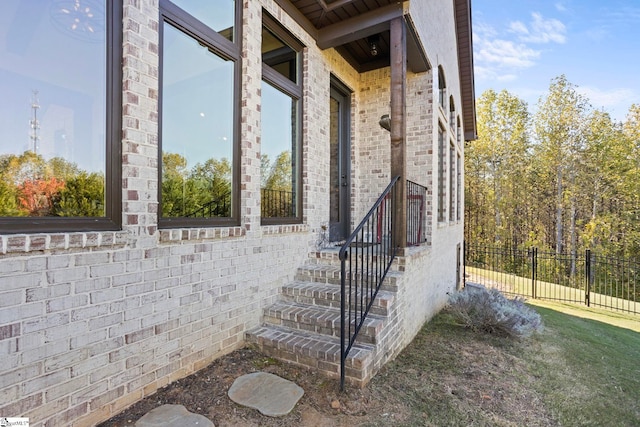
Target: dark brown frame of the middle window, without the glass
{"points": [[229, 50]]}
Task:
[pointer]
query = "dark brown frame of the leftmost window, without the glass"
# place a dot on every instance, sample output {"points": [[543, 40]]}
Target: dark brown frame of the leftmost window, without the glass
{"points": [[112, 221]]}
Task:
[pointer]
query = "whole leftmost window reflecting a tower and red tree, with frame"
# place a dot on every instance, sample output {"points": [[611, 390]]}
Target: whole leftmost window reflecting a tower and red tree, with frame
{"points": [[60, 98]]}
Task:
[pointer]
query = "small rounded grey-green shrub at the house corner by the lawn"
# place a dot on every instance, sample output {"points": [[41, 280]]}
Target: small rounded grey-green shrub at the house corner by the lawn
{"points": [[488, 310]]}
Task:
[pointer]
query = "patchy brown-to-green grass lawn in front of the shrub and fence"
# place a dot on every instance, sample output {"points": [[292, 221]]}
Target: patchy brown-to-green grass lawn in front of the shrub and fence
{"points": [[582, 370]]}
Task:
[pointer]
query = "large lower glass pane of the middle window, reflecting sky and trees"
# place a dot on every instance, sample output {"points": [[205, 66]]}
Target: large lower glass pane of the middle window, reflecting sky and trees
{"points": [[197, 129]]}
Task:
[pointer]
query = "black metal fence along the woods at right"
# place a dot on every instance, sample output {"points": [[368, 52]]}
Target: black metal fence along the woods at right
{"points": [[586, 278]]}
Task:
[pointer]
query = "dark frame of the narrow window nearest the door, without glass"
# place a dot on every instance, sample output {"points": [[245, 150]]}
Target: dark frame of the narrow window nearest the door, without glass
{"points": [[295, 90]]}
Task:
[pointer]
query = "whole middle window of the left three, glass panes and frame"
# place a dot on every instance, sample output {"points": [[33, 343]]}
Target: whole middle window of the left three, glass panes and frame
{"points": [[199, 98]]}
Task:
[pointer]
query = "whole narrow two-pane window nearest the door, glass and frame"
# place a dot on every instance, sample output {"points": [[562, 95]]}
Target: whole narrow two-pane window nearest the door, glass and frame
{"points": [[281, 117]]}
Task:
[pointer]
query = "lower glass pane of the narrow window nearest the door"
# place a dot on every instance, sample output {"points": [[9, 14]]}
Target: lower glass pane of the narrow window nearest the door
{"points": [[279, 153]]}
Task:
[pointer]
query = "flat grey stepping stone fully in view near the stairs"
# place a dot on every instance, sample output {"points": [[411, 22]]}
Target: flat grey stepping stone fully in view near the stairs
{"points": [[271, 395]]}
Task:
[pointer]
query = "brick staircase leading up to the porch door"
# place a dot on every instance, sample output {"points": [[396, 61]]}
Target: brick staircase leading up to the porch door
{"points": [[304, 326]]}
